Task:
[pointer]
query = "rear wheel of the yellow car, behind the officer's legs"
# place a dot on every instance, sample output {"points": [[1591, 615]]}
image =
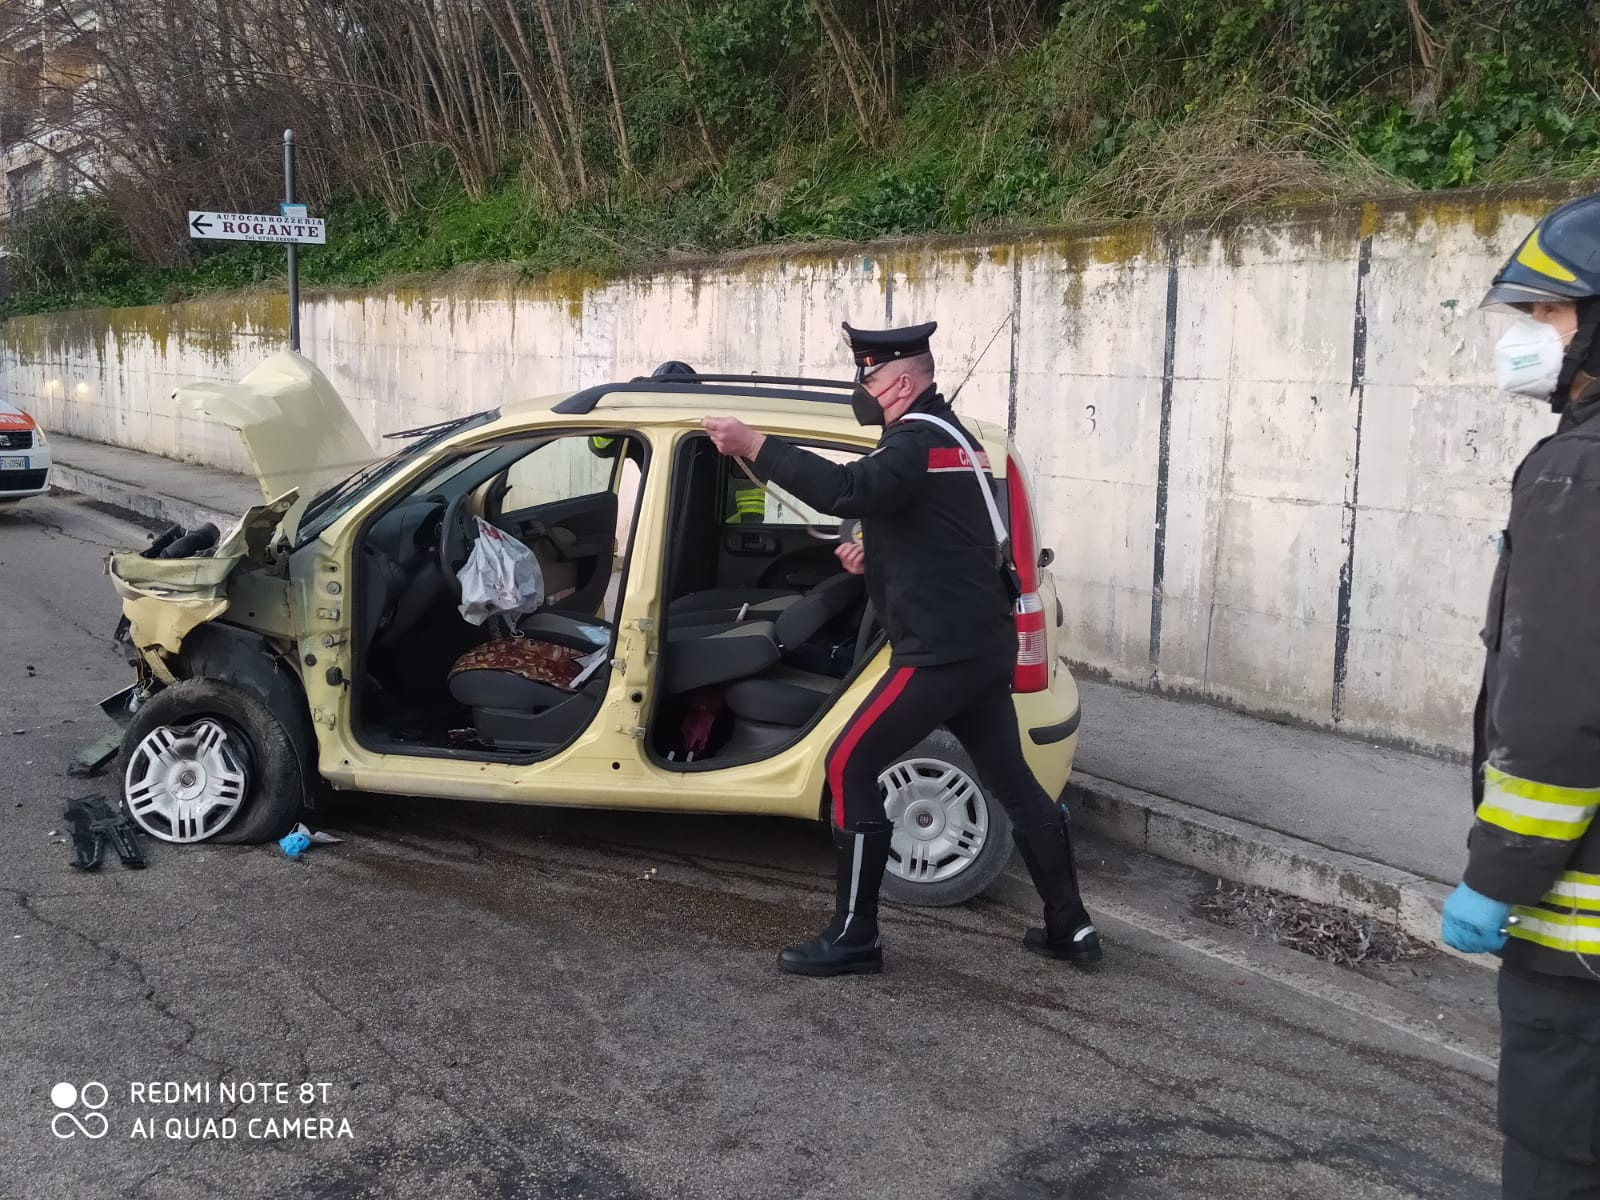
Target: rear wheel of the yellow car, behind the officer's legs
{"points": [[951, 838]]}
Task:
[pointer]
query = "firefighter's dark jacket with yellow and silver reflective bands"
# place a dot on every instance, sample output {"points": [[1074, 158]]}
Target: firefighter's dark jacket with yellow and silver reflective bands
{"points": [[1535, 842]]}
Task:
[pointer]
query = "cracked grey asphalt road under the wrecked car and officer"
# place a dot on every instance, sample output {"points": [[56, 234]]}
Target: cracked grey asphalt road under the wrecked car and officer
{"points": [[538, 1004]]}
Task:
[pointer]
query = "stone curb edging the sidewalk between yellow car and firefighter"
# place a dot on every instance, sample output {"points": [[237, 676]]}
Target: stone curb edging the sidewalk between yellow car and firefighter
{"points": [[1244, 854]]}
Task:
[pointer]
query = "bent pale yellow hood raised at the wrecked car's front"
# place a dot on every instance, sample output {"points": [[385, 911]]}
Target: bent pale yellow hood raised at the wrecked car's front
{"points": [[297, 431]]}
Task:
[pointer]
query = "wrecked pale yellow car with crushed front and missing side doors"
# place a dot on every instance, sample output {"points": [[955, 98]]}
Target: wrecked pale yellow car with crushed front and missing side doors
{"points": [[695, 646]]}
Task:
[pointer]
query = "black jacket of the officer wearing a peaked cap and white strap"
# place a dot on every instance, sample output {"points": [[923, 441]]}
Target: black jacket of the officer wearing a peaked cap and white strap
{"points": [[932, 559]]}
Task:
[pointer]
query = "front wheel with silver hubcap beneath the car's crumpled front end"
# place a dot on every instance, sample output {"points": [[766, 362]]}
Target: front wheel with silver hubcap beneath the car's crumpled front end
{"points": [[209, 762]]}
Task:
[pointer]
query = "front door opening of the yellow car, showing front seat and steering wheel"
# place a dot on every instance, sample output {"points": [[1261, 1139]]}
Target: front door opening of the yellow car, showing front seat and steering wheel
{"points": [[521, 686]]}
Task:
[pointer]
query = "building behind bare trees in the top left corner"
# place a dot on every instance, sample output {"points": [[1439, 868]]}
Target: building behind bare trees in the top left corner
{"points": [[47, 73]]}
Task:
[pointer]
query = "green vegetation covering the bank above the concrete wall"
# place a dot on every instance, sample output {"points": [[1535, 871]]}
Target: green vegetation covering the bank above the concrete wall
{"points": [[745, 122]]}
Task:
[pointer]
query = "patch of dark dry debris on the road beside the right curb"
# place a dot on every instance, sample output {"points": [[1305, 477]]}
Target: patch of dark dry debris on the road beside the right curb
{"points": [[1321, 930]]}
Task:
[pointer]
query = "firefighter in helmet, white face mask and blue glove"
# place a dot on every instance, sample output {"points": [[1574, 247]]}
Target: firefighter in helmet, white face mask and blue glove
{"points": [[1532, 887]]}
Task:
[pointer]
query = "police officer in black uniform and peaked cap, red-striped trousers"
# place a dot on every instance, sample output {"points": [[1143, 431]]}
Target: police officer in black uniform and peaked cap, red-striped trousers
{"points": [[932, 567]]}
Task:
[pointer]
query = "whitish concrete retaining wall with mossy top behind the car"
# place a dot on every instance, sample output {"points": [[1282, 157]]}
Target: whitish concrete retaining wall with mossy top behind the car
{"points": [[1270, 455]]}
